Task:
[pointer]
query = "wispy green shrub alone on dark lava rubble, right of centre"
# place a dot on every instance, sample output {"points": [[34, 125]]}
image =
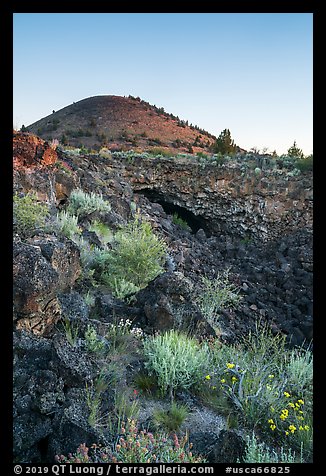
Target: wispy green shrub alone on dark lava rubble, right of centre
{"points": [[216, 294]]}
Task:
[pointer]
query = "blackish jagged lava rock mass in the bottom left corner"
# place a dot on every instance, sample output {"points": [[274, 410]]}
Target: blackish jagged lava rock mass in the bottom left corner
{"points": [[50, 410]]}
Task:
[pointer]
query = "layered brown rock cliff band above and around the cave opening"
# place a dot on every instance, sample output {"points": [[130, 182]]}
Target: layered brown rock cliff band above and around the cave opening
{"points": [[230, 198]]}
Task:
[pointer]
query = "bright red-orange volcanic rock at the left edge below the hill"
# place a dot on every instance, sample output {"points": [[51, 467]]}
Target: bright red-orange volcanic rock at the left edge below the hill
{"points": [[30, 151]]}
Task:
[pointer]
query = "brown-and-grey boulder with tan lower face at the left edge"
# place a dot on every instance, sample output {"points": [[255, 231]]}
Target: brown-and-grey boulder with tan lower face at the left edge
{"points": [[42, 268]]}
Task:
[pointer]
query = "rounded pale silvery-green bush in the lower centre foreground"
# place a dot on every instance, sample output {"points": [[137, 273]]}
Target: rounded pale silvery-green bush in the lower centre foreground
{"points": [[177, 360]]}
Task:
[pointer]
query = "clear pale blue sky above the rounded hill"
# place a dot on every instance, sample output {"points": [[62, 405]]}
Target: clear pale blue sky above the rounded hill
{"points": [[248, 72]]}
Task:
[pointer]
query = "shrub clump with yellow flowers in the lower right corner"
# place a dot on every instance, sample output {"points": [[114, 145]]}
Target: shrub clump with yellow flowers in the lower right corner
{"points": [[269, 386]]}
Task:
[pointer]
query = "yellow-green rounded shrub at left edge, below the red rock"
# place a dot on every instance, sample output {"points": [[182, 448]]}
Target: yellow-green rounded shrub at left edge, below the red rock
{"points": [[28, 213]]}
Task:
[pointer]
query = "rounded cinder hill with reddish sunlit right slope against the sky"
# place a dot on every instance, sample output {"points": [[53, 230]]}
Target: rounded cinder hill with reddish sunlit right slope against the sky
{"points": [[120, 122]]}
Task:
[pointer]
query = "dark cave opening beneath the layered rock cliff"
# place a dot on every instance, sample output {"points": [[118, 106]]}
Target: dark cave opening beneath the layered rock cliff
{"points": [[195, 222]]}
